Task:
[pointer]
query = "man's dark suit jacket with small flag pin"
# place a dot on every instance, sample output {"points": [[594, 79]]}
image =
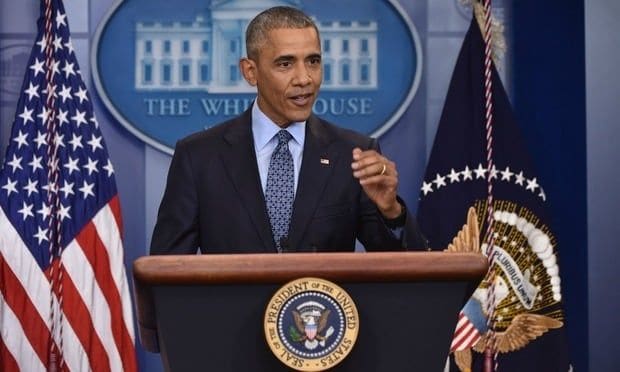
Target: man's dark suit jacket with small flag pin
{"points": [[214, 200]]}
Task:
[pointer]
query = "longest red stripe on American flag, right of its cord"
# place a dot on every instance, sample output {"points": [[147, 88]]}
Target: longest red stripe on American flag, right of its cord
{"points": [[96, 253]]}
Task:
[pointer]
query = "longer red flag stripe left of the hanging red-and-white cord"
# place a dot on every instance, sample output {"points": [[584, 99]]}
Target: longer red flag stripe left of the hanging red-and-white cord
{"points": [[16, 298]]}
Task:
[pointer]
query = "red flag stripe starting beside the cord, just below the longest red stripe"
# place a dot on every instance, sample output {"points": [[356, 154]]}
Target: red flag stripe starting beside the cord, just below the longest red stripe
{"points": [[76, 313]]}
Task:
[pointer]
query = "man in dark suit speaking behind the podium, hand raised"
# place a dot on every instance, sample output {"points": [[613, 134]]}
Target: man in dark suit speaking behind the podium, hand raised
{"points": [[222, 195]]}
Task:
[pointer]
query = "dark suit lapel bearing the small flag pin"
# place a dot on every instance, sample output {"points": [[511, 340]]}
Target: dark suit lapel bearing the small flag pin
{"points": [[316, 169]]}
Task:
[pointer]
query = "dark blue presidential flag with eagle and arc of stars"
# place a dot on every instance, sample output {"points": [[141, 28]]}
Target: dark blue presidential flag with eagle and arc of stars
{"points": [[520, 300]]}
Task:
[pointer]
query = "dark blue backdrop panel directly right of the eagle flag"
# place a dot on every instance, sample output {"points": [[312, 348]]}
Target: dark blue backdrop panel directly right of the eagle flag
{"points": [[549, 101]]}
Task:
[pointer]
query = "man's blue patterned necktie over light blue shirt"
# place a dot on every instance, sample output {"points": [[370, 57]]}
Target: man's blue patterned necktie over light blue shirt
{"points": [[279, 193]]}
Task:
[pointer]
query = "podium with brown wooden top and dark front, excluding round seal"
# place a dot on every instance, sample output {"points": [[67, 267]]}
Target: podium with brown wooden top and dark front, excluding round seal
{"points": [[205, 312]]}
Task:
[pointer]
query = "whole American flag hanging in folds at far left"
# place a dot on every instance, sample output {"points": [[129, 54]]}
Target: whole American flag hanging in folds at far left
{"points": [[64, 299]]}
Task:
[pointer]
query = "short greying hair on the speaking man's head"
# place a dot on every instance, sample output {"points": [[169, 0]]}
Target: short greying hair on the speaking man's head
{"points": [[271, 19]]}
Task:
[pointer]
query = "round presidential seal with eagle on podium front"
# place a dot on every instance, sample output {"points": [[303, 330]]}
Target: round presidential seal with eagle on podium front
{"points": [[311, 324]]}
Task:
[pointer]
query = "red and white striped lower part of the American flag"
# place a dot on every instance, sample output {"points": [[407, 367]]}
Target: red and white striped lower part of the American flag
{"points": [[86, 260]]}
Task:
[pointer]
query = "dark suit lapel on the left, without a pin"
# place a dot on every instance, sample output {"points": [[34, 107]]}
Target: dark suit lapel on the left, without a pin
{"points": [[239, 160]]}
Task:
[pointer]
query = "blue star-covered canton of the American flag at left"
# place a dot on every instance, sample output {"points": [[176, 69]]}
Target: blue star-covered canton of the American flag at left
{"points": [[85, 175]]}
